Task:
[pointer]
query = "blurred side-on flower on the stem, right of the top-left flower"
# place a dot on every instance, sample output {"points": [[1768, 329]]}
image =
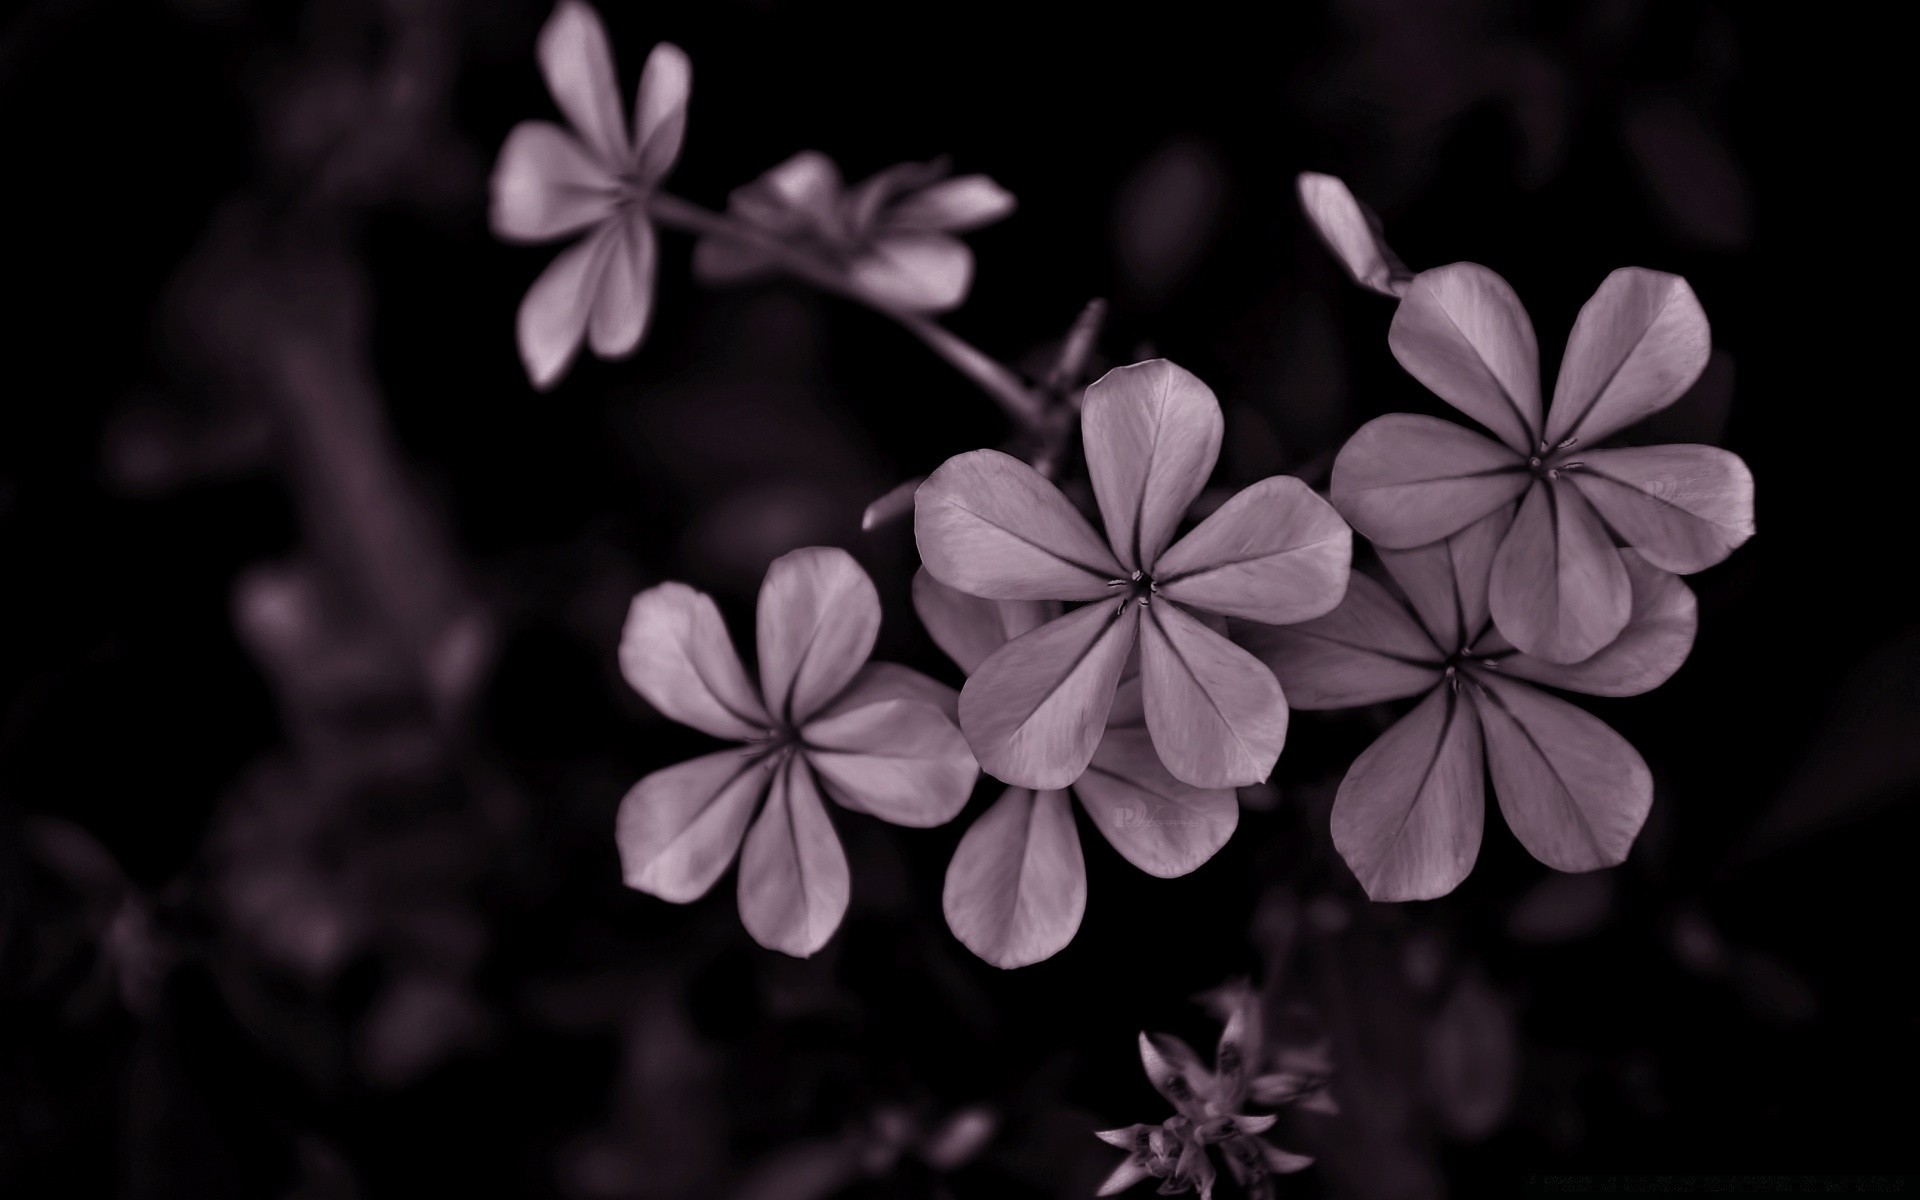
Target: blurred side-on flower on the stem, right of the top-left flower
{"points": [[892, 235]]}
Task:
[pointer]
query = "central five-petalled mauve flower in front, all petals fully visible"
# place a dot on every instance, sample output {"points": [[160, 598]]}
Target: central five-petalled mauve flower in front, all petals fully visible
{"points": [[994, 527]]}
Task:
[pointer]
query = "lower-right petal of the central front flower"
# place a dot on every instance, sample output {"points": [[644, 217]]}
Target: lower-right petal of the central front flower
{"points": [[1216, 713]]}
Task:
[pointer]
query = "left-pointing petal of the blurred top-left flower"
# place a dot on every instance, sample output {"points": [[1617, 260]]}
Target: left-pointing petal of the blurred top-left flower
{"points": [[546, 185]]}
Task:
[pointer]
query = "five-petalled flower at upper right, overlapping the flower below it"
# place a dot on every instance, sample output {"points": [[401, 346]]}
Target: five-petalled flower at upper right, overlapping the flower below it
{"points": [[1560, 592]]}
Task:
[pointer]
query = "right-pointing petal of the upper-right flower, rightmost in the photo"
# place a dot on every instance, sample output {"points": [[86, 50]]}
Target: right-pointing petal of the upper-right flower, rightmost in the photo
{"points": [[1685, 508]]}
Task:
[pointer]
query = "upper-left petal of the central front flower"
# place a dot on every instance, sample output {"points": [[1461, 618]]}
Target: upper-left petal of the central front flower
{"points": [[994, 527]]}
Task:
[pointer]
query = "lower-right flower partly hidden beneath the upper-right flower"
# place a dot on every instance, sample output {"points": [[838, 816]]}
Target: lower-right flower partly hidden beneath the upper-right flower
{"points": [[1410, 811]]}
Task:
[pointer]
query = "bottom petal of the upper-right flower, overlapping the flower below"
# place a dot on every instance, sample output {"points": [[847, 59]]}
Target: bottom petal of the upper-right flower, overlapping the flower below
{"points": [[1558, 588]]}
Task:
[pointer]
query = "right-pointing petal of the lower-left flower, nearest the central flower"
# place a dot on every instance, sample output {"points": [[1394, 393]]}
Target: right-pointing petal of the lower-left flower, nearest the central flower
{"points": [[901, 761]]}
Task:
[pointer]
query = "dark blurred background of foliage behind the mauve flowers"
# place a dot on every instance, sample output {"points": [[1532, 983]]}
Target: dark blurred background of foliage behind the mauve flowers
{"points": [[310, 723]]}
